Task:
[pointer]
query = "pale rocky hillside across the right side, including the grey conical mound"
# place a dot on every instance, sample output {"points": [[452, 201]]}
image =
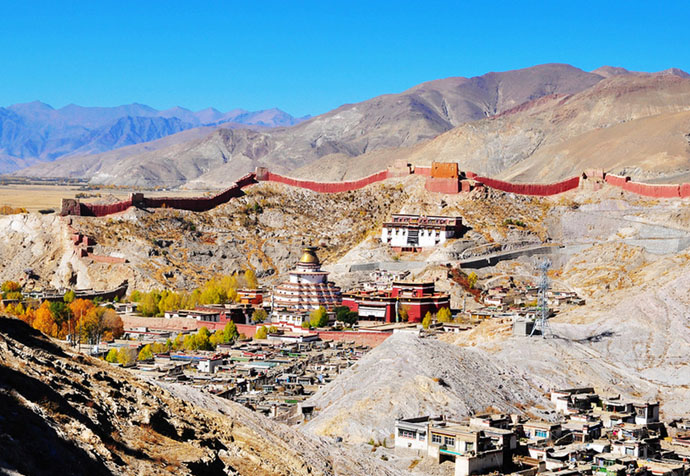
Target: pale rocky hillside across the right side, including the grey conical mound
{"points": [[629, 259]]}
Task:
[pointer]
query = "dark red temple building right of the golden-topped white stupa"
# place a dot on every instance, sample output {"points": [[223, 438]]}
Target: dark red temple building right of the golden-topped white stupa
{"points": [[416, 298]]}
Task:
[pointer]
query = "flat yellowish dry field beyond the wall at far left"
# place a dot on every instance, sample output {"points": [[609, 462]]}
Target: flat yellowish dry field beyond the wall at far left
{"points": [[34, 197]]}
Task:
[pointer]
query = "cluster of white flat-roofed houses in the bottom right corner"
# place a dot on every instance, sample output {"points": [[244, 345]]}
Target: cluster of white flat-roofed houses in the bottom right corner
{"points": [[593, 436]]}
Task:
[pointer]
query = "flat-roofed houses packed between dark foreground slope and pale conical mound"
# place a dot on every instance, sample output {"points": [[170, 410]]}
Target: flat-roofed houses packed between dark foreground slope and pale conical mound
{"points": [[271, 376]]}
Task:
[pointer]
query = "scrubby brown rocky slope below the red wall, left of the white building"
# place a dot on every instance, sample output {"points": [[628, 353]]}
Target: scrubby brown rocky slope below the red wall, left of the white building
{"points": [[264, 230]]}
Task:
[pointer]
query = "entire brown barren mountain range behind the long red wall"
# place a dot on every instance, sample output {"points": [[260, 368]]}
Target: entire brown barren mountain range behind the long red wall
{"points": [[533, 124]]}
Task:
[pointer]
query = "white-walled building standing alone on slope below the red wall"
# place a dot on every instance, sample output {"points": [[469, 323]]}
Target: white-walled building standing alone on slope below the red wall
{"points": [[415, 231]]}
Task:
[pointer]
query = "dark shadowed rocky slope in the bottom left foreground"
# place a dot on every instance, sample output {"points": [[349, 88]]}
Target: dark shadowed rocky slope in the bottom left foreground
{"points": [[70, 414]]}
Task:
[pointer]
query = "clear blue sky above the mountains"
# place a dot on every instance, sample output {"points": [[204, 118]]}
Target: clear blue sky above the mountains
{"points": [[309, 57]]}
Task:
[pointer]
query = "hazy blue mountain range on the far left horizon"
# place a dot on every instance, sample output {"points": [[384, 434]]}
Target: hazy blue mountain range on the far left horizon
{"points": [[35, 132]]}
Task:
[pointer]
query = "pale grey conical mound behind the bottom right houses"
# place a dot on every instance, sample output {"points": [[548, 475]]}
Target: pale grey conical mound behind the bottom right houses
{"points": [[408, 376]]}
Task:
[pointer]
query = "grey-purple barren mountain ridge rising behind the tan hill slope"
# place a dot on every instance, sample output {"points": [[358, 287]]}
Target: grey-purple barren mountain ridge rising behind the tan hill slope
{"points": [[386, 122]]}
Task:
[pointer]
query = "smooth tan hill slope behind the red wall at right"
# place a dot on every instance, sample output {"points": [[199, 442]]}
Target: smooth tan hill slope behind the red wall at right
{"points": [[626, 121]]}
